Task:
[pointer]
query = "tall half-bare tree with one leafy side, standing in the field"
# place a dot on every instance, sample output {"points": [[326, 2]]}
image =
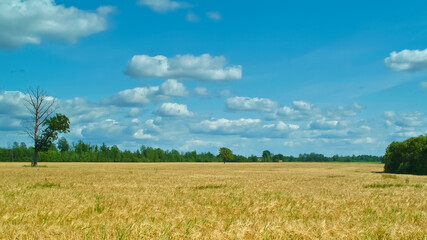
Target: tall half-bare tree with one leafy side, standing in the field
{"points": [[41, 107]]}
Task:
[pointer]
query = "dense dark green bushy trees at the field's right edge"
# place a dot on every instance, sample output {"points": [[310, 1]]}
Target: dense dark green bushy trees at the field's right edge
{"points": [[407, 157]]}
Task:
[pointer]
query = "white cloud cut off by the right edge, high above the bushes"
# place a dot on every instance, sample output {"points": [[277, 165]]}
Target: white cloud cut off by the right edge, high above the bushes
{"points": [[407, 60]]}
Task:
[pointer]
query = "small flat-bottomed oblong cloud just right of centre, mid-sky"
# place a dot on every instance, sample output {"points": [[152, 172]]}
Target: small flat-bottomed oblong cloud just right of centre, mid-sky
{"points": [[251, 104]]}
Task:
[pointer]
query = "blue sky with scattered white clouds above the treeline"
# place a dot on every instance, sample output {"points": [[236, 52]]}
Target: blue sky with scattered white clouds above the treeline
{"points": [[331, 77]]}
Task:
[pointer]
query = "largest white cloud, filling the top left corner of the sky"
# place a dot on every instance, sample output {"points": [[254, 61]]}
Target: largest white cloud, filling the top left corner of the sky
{"points": [[32, 21]]}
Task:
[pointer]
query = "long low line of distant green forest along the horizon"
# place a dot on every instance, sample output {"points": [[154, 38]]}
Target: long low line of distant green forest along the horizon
{"points": [[83, 152]]}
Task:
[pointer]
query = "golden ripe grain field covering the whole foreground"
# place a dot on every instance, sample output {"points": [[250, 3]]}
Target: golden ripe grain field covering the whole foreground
{"points": [[210, 201]]}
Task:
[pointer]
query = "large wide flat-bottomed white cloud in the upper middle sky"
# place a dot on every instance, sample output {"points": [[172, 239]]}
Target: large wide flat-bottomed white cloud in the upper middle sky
{"points": [[204, 67]]}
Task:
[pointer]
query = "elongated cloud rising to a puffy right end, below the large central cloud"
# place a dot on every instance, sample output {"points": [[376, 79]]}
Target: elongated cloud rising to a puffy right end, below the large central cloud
{"points": [[142, 96]]}
